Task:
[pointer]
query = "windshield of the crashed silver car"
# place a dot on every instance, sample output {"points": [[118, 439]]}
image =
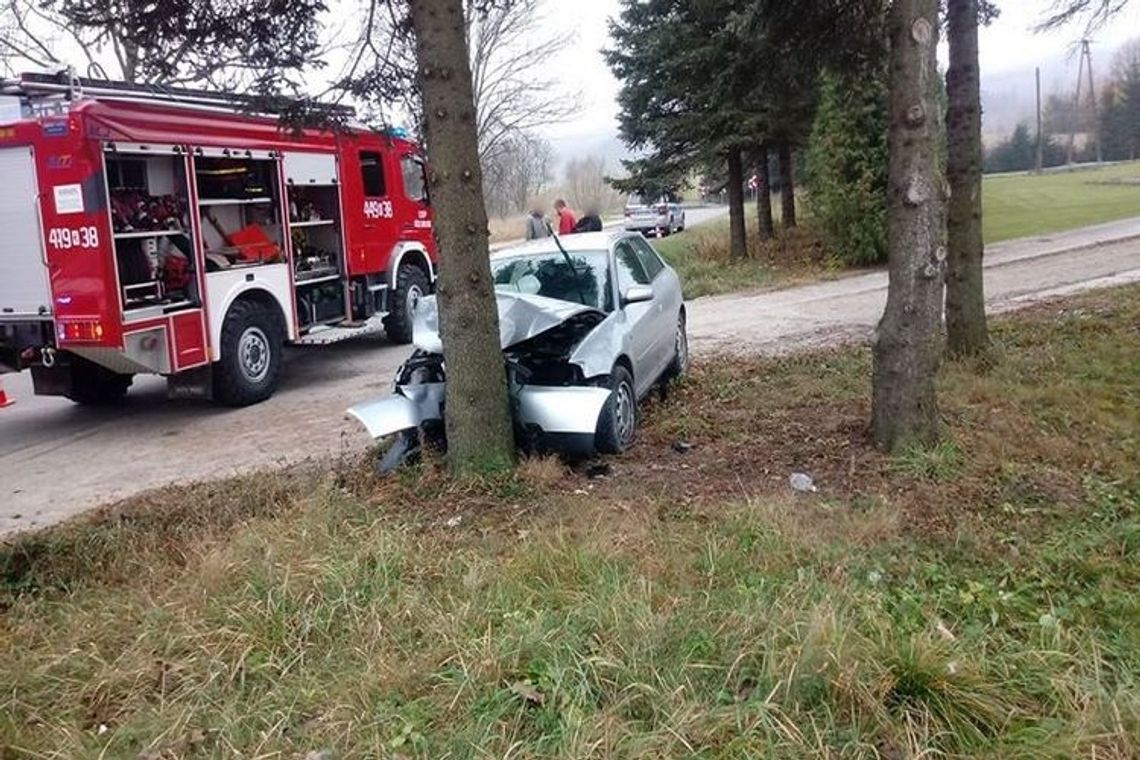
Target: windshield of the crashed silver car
{"points": [[550, 275]]}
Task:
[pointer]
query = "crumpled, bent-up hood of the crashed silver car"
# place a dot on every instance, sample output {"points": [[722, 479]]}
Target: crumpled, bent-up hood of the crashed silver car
{"points": [[522, 317]]}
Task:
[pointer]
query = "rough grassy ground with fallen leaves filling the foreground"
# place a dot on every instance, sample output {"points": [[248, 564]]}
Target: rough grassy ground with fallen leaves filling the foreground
{"points": [[974, 600]]}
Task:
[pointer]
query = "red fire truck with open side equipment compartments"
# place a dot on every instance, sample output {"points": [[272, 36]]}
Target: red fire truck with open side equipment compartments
{"points": [[176, 233]]}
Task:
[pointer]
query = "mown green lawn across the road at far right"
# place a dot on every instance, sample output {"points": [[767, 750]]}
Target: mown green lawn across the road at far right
{"points": [[1023, 206]]}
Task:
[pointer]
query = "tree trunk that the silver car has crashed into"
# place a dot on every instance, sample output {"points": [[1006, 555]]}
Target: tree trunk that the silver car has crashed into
{"points": [[478, 419]]}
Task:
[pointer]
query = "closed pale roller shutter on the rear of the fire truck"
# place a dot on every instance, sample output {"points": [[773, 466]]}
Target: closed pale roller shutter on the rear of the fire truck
{"points": [[25, 290]]}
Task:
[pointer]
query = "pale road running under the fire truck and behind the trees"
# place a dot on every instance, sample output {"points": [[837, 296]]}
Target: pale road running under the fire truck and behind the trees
{"points": [[58, 460]]}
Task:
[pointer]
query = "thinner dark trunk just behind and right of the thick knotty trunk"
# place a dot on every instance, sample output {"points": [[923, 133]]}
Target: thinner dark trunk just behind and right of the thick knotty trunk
{"points": [[966, 306]]}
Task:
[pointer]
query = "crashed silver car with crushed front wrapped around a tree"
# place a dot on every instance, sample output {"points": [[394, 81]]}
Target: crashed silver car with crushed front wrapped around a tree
{"points": [[589, 325]]}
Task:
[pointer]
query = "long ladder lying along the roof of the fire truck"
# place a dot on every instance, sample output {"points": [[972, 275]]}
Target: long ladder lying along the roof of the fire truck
{"points": [[68, 85]]}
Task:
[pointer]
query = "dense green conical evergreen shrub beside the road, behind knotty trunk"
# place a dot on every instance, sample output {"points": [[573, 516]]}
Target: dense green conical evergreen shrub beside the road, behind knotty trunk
{"points": [[848, 167]]}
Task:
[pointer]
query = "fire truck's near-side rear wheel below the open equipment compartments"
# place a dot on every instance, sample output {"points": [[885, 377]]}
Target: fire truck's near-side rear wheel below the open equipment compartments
{"points": [[253, 353]]}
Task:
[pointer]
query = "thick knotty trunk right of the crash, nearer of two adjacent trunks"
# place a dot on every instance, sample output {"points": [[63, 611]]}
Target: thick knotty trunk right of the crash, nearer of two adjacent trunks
{"points": [[907, 344]]}
